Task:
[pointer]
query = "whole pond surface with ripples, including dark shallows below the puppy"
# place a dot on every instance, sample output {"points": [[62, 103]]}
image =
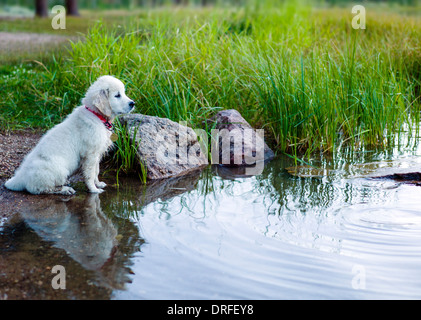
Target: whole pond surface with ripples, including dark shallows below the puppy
{"points": [[336, 234]]}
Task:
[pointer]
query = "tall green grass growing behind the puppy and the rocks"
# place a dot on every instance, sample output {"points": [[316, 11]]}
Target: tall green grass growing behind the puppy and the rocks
{"points": [[303, 74]]}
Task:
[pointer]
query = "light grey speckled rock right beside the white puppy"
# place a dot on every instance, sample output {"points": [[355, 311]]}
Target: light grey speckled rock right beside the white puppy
{"points": [[168, 149]]}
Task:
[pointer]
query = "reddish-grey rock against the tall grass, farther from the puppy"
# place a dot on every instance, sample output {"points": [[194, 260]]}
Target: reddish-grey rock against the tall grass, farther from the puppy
{"points": [[237, 143]]}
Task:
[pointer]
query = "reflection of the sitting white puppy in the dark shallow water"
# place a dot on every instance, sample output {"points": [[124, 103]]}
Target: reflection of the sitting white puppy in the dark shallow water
{"points": [[79, 227]]}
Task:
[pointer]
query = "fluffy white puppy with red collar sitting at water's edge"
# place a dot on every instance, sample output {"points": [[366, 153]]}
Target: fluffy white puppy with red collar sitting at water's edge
{"points": [[78, 142]]}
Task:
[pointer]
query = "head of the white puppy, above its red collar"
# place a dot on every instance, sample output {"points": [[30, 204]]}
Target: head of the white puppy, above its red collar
{"points": [[107, 94]]}
